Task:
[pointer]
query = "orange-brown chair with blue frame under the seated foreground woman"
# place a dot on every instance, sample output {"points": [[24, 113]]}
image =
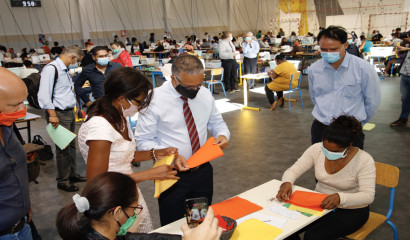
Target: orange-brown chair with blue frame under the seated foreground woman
{"points": [[388, 176]]}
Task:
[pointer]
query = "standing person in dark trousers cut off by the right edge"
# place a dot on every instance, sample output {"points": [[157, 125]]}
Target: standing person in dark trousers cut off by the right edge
{"points": [[404, 84]]}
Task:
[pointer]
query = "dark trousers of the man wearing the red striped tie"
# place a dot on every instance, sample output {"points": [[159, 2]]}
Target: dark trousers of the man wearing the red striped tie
{"points": [[190, 185]]}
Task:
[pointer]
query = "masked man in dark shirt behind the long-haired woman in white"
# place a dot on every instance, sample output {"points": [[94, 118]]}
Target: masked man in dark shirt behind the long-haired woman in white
{"points": [[95, 73]]}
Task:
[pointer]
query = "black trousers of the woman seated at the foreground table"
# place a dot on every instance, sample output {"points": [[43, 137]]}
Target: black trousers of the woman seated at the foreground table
{"points": [[338, 223]]}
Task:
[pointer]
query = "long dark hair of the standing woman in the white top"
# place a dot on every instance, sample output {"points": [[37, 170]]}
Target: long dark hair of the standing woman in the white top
{"points": [[123, 81]]}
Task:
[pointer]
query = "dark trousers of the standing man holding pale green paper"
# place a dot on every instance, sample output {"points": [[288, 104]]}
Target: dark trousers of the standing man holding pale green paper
{"points": [[66, 159]]}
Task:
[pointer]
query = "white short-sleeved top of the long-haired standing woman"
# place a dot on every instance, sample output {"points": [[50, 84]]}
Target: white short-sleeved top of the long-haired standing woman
{"points": [[122, 151]]}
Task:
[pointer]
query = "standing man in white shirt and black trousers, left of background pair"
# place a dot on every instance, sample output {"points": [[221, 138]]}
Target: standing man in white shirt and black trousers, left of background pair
{"points": [[227, 53]]}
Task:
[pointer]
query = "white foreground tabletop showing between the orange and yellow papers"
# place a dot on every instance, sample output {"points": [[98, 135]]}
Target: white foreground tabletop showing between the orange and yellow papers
{"points": [[262, 196]]}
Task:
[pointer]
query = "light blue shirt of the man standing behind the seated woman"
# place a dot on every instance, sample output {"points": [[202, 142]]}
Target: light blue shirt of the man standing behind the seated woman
{"points": [[353, 89]]}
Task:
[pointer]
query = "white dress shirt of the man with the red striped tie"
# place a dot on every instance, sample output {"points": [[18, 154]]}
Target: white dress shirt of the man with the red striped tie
{"points": [[163, 124]]}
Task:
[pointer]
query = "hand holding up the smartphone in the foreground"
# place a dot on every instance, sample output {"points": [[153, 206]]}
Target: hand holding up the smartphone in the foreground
{"points": [[208, 230]]}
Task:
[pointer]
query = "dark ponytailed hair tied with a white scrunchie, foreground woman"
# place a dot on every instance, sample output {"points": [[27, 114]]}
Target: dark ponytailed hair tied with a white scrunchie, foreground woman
{"points": [[104, 192]]}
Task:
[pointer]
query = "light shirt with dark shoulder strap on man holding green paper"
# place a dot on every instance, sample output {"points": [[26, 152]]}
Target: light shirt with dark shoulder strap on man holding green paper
{"points": [[64, 97]]}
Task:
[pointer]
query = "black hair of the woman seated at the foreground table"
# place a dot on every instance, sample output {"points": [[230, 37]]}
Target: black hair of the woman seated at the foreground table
{"points": [[343, 131]]}
